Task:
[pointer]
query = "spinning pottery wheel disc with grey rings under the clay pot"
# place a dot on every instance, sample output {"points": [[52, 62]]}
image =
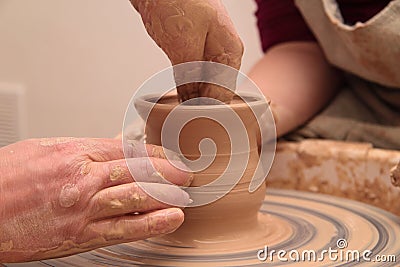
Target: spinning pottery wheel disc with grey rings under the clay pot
{"points": [[296, 221]]}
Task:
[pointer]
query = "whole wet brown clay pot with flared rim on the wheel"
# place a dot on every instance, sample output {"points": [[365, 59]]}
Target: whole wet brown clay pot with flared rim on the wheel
{"points": [[233, 221]]}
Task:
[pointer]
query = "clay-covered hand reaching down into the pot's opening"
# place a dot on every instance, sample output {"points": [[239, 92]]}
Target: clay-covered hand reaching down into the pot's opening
{"points": [[191, 30]]}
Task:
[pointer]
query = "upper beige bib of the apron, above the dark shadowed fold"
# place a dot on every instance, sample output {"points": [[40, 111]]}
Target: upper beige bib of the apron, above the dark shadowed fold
{"points": [[370, 50]]}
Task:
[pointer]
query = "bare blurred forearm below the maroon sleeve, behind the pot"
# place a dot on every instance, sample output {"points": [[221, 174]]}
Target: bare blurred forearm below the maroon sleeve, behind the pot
{"points": [[298, 80]]}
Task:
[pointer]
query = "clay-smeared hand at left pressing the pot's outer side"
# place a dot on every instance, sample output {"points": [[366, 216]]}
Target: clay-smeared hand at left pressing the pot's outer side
{"points": [[61, 196]]}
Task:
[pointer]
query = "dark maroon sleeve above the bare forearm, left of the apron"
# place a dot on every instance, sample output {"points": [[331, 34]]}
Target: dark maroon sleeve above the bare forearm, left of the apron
{"points": [[280, 21]]}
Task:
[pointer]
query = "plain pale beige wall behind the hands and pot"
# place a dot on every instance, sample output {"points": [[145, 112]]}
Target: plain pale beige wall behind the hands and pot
{"points": [[81, 60]]}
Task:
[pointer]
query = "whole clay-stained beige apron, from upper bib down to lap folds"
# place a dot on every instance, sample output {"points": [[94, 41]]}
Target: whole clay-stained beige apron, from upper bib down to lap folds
{"points": [[368, 109]]}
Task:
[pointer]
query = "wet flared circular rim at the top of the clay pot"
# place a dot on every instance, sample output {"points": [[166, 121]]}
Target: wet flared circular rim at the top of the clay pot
{"points": [[250, 100]]}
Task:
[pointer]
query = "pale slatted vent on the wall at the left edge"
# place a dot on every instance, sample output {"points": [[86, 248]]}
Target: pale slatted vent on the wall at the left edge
{"points": [[12, 108]]}
